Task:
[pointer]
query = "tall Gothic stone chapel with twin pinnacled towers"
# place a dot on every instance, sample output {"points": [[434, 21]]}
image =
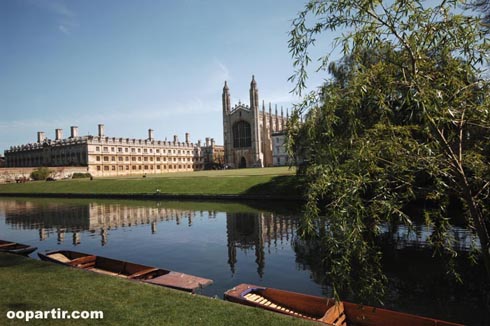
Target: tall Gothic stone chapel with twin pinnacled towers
{"points": [[247, 130]]}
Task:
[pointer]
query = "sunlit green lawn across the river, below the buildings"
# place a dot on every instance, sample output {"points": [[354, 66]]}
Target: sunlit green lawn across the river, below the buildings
{"points": [[276, 182]]}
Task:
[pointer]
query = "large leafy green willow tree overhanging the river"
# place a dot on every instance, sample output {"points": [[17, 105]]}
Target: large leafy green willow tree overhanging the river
{"points": [[406, 115]]}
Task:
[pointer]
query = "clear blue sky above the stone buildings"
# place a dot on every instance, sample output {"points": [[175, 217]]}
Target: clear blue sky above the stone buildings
{"points": [[135, 65]]}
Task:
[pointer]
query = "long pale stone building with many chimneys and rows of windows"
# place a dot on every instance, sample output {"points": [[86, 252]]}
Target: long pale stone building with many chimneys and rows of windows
{"points": [[109, 156]]}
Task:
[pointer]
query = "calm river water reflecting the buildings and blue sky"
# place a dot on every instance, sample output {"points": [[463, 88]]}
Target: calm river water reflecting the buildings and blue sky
{"points": [[233, 243]]}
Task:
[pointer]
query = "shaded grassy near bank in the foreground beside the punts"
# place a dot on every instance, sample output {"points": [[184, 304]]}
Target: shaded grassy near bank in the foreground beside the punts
{"points": [[28, 284]]}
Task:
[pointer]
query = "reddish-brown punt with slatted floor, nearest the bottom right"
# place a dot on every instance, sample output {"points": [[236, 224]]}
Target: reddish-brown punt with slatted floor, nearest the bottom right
{"points": [[324, 310]]}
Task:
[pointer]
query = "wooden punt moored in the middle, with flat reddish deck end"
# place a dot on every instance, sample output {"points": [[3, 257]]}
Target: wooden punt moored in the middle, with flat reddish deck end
{"points": [[123, 269]]}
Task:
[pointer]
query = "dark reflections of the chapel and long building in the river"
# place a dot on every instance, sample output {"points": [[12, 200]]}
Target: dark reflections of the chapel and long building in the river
{"points": [[246, 231]]}
